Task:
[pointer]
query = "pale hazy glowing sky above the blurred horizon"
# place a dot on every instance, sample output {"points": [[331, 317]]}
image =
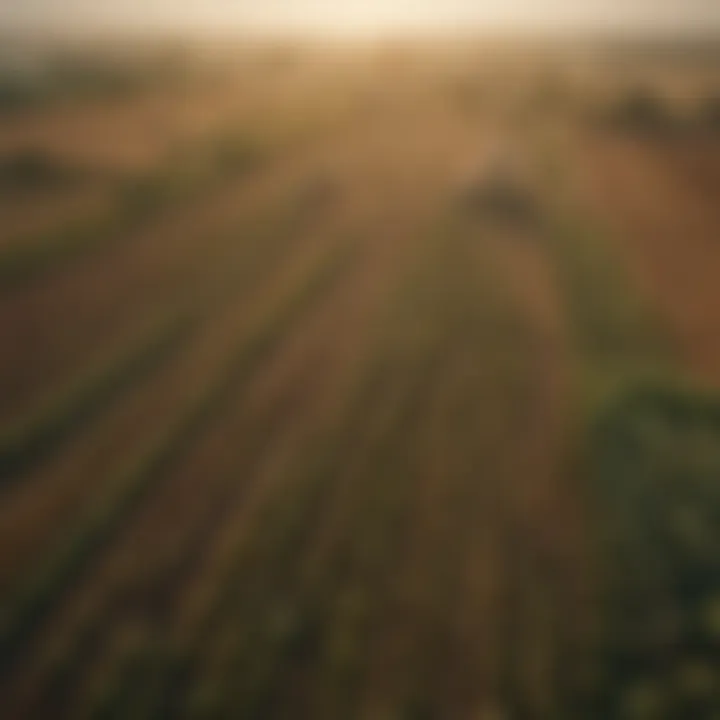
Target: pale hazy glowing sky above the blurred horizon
{"points": [[363, 15]]}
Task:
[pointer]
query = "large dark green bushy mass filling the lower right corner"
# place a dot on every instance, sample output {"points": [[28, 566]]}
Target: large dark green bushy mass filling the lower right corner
{"points": [[654, 465]]}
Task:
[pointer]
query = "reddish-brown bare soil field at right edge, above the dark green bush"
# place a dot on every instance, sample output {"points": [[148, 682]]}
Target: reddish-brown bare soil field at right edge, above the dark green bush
{"points": [[649, 195]]}
